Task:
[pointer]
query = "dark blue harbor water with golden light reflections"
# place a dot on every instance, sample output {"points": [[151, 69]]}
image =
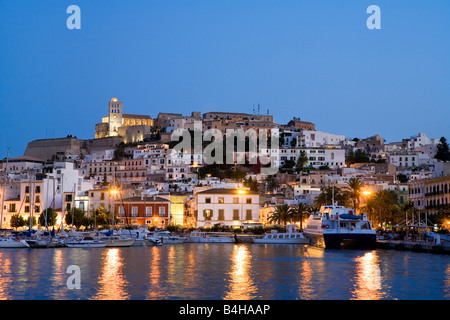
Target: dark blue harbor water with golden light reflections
{"points": [[224, 271]]}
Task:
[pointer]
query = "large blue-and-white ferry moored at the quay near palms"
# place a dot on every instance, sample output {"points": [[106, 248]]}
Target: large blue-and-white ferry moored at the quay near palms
{"points": [[334, 226]]}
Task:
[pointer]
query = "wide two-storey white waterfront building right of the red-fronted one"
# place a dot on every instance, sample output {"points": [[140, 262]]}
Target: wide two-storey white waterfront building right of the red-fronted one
{"points": [[230, 207]]}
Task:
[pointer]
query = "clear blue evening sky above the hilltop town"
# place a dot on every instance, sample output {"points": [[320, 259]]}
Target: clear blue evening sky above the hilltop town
{"points": [[312, 59]]}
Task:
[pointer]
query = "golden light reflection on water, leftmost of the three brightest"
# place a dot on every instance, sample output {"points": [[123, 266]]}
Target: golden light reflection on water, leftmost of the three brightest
{"points": [[111, 280]]}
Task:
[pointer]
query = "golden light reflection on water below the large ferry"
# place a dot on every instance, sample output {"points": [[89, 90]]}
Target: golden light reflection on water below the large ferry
{"points": [[368, 278]]}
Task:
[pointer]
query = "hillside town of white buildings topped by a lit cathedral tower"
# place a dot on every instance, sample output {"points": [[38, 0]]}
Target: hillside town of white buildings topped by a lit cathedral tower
{"points": [[132, 168]]}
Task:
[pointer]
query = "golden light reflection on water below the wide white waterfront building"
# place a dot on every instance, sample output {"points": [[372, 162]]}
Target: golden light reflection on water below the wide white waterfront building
{"points": [[241, 286]]}
